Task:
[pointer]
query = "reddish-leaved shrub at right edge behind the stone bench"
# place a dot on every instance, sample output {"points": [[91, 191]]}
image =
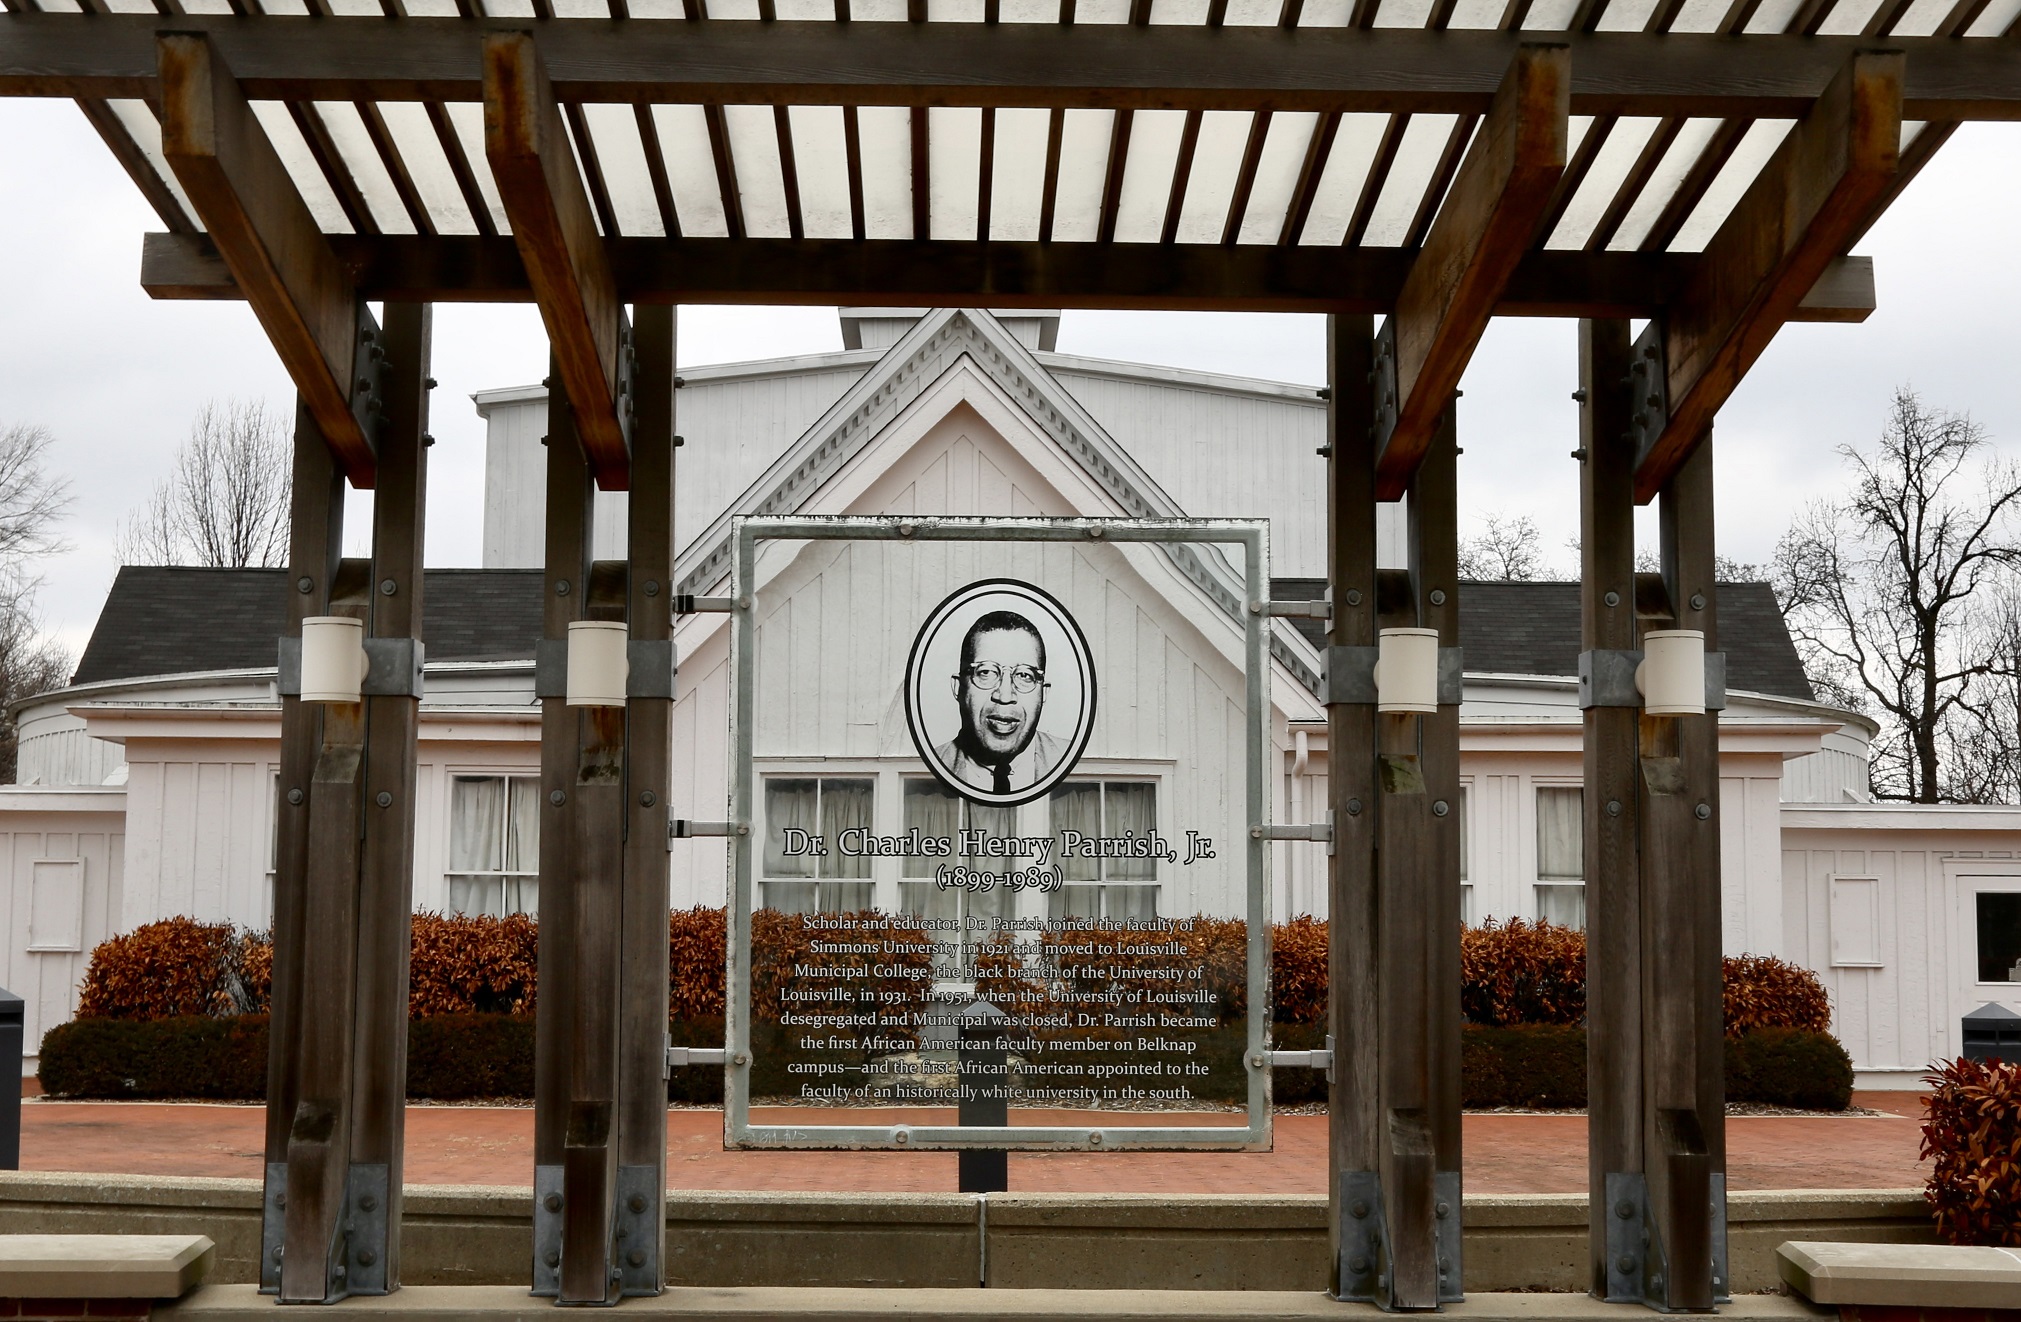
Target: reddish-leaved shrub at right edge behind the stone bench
{"points": [[1974, 1137]]}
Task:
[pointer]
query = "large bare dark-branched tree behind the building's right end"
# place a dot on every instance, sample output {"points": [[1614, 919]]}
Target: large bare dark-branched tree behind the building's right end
{"points": [[1891, 593]]}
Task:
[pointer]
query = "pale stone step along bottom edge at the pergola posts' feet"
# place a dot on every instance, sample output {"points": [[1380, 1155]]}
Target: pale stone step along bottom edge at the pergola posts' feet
{"points": [[789, 1305]]}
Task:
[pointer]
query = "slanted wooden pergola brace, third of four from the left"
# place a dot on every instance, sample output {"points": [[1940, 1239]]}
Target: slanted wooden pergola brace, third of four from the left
{"points": [[1474, 248]]}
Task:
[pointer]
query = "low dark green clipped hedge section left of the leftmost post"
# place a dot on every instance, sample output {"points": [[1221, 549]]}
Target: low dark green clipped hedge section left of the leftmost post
{"points": [[189, 1056]]}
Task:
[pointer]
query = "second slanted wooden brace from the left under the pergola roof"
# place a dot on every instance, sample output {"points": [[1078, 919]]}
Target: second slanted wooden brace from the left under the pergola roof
{"points": [[565, 256]]}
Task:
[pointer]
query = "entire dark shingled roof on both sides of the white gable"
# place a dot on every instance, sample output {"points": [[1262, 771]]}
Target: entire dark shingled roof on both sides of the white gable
{"points": [[171, 622]]}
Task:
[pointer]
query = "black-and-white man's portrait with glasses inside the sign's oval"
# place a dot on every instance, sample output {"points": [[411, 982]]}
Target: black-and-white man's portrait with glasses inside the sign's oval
{"points": [[1001, 694]]}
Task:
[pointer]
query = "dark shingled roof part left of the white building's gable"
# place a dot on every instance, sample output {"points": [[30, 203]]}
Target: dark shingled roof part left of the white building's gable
{"points": [[171, 622]]}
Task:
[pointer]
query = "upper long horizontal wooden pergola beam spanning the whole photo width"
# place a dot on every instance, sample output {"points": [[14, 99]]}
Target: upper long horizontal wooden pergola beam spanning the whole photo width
{"points": [[1005, 66]]}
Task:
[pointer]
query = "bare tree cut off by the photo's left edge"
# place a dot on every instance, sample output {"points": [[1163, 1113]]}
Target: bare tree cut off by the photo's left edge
{"points": [[31, 504]]}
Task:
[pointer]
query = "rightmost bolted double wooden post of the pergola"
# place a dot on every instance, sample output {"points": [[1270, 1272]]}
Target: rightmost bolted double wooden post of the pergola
{"points": [[1656, 1076]]}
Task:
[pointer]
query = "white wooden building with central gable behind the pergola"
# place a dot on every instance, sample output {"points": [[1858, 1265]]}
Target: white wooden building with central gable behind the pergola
{"points": [[149, 785]]}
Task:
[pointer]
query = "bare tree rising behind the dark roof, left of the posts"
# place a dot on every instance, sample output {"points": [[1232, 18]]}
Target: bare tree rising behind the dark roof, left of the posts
{"points": [[225, 504]]}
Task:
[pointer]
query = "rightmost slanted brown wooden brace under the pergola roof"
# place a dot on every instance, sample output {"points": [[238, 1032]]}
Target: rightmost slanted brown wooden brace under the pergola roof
{"points": [[1814, 195]]}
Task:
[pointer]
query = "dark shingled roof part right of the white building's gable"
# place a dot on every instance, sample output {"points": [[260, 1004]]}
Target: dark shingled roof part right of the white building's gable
{"points": [[1533, 630]]}
